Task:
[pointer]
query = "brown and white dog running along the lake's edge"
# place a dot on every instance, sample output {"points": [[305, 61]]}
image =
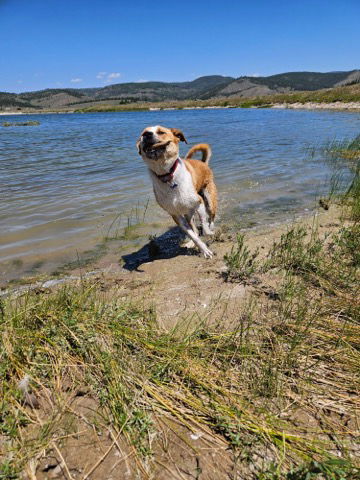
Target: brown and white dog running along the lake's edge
{"points": [[181, 187]]}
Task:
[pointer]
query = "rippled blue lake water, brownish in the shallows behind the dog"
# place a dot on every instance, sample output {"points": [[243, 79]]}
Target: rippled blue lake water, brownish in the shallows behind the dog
{"points": [[76, 180]]}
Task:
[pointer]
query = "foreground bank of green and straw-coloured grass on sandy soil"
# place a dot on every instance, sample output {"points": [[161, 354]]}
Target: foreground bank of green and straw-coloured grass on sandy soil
{"points": [[92, 386]]}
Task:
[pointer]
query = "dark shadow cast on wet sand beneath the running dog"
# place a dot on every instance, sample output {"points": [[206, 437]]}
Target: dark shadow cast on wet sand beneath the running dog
{"points": [[166, 245]]}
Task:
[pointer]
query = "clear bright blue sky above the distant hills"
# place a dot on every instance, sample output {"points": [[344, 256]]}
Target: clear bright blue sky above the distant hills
{"points": [[77, 43]]}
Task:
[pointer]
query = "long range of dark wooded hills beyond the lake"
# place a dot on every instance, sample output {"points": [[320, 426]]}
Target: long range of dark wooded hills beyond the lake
{"points": [[202, 88]]}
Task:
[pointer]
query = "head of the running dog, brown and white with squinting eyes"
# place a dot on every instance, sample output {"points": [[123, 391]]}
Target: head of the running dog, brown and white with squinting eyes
{"points": [[158, 145]]}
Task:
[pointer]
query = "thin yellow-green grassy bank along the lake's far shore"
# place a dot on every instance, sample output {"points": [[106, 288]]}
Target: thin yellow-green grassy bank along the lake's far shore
{"points": [[346, 94]]}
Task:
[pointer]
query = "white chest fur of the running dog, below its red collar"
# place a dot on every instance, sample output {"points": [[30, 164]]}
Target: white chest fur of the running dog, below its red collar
{"points": [[178, 200]]}
